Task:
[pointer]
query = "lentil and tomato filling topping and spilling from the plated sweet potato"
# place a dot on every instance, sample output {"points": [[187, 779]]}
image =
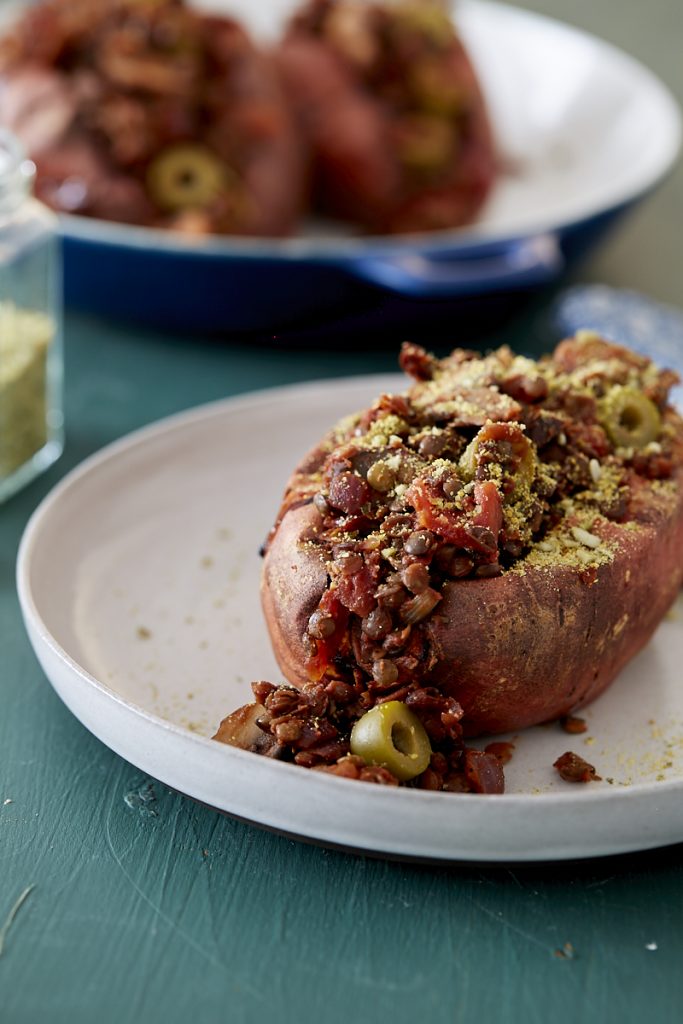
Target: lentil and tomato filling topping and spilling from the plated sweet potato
{"points": [[487, 466]]}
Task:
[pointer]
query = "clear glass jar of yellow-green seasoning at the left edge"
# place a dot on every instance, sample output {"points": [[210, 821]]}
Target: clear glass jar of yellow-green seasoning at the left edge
{"points": [[31, 418]]}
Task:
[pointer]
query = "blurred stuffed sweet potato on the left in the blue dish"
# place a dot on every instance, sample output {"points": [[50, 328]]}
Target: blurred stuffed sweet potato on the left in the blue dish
{"points": [[153, 114]]}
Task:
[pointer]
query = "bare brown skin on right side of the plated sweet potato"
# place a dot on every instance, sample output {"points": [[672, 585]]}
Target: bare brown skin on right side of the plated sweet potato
{"points": [[538, 644]]}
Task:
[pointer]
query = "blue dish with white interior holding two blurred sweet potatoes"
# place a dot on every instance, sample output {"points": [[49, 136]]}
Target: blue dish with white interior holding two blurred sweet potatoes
{"points": [[584, 133]]}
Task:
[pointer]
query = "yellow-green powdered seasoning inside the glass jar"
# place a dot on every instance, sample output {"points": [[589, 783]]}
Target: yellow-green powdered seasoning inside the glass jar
{"points": [[25, 340]]}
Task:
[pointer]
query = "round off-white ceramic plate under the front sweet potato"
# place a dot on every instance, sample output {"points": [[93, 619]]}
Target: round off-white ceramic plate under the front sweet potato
{"points": [[139, 582]]}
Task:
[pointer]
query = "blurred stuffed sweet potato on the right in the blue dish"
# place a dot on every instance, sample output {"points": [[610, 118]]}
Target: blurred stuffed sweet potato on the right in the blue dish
{"points": [[392, 108]]}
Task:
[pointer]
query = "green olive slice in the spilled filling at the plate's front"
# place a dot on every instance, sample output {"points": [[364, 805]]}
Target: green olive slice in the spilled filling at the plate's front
{"points": [[392, 736]]}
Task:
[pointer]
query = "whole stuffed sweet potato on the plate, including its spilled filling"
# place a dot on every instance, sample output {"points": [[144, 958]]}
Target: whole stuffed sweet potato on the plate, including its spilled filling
{"points": [[482, 553]]}
